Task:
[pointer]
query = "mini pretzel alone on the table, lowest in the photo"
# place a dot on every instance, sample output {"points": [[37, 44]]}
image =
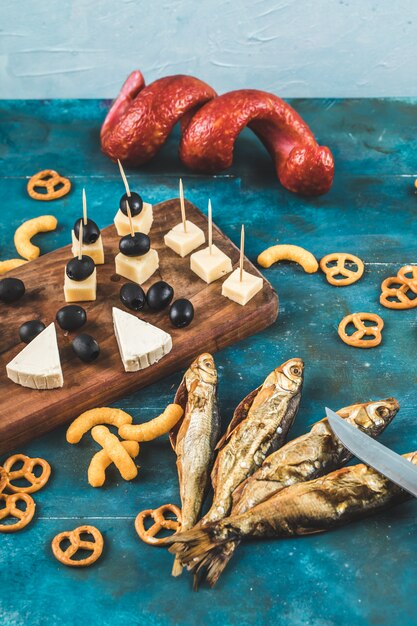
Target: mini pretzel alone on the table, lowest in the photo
{"points": [[76, 543]]}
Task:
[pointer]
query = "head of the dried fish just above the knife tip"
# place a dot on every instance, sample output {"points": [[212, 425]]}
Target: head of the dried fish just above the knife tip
{"points": [[372, 417]]}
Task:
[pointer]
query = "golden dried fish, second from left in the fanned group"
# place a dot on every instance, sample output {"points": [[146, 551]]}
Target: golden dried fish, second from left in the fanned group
{"points": [[259, 425]]}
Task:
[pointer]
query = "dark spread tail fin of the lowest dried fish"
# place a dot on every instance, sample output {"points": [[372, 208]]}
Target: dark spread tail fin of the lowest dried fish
{"points": [[205, 552]]}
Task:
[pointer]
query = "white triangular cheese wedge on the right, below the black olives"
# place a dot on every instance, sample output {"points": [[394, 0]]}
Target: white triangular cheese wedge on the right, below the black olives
{"points": [[140, 344]]}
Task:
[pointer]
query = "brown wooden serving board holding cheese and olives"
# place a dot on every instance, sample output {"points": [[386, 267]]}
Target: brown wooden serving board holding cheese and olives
{"points": [[218, 322]]}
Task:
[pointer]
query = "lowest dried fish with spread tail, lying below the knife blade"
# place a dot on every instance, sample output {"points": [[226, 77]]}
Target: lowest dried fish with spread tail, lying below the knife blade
{"points": [[343, 496]]}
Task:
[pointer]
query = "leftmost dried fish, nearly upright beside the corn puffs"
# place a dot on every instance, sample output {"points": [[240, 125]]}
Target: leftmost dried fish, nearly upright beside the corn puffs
{"points": [[194, 438]]}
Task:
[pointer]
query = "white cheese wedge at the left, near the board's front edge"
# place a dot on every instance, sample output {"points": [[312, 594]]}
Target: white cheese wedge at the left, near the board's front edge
{"points": [[38, 365]]}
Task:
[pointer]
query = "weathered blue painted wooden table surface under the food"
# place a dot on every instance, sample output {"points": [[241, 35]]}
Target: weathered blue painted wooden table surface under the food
{"points": [[362, 574]]}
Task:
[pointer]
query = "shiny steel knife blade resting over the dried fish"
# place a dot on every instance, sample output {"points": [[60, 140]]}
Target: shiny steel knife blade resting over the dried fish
{"points": [[382, 459]]}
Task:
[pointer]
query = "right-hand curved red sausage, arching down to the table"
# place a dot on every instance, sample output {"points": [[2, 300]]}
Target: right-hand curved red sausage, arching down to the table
{"points": [[207, 142]]}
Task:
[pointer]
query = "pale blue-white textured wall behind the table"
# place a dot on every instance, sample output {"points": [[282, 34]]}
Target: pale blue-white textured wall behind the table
{"points": [[85, 48]]}
